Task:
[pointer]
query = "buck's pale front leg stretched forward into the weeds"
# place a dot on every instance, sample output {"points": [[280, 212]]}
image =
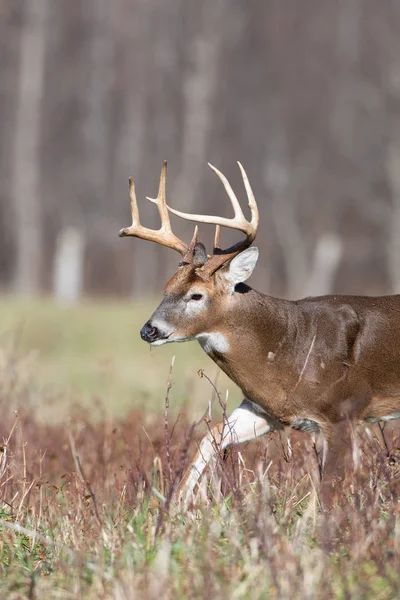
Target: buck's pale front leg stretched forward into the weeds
{"points": [[247, 422]]}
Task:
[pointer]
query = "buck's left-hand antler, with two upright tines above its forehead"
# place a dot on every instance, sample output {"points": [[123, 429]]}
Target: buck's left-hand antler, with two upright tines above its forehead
{"points": [[164, 235]]}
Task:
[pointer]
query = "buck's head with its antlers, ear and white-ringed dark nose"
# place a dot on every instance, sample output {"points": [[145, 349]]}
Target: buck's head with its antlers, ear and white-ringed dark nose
{"points": [[197, 296]]}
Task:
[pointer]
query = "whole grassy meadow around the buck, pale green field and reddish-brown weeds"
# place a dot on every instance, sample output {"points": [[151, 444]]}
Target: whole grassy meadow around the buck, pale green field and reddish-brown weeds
{"points": [[95, 432]]}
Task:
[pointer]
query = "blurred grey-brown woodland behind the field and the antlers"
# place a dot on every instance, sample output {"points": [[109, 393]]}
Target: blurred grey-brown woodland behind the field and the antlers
{"points": [[305, 95]]}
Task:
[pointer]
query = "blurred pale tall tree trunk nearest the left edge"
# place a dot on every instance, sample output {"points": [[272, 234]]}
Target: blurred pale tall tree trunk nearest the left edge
{"points": [[26, 157]]}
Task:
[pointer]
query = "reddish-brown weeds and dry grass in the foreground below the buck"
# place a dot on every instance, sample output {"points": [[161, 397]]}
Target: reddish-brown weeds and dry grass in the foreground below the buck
{"points": [[86, 512]]}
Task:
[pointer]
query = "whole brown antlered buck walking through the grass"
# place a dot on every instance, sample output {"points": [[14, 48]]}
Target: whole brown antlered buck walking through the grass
{"points": [[314, 364]]}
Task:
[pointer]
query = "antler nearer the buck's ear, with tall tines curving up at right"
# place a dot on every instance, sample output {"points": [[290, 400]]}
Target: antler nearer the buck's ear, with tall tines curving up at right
{"points": [[238, 222]]}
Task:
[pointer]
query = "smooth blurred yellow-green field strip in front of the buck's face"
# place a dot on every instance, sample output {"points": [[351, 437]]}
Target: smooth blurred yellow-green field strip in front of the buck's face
{"points": [[92, 355]]}
